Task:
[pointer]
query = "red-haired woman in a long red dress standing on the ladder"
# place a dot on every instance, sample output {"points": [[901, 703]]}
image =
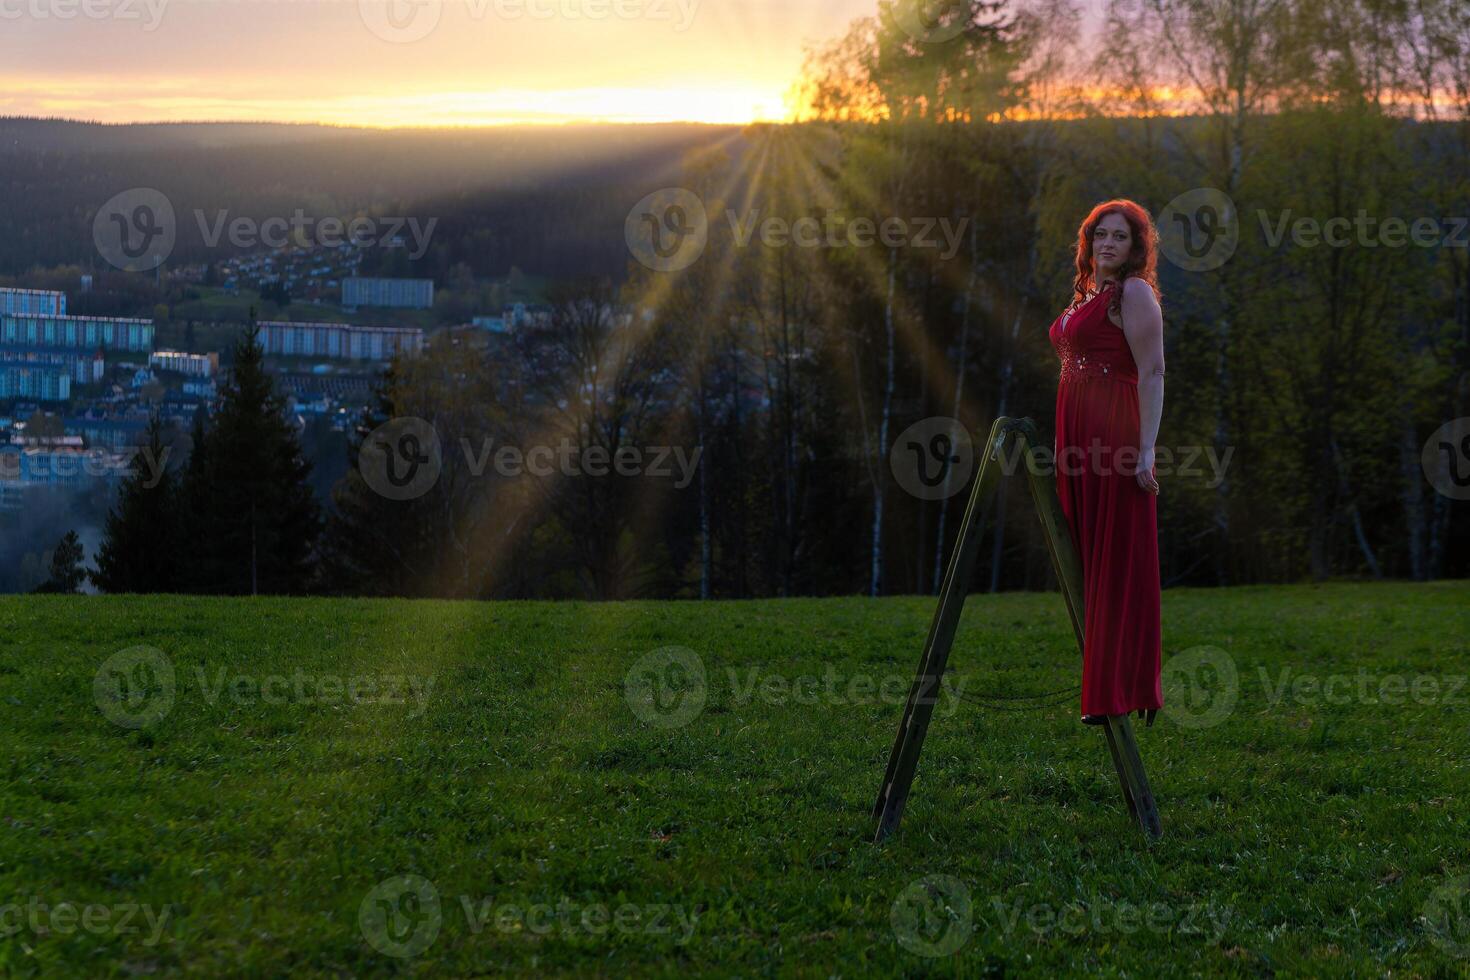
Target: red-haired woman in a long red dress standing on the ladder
{"points": [[1111, 397]]}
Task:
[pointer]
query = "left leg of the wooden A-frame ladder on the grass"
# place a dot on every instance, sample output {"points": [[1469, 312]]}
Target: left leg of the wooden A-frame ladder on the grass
{"points": [[903, 759]]}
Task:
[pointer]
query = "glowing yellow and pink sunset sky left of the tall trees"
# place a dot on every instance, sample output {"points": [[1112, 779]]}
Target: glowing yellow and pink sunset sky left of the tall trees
{"points": [[409, 62]]}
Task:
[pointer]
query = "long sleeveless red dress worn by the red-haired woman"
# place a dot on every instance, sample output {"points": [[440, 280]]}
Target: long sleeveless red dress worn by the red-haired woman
{"points": [[1114, 521]]}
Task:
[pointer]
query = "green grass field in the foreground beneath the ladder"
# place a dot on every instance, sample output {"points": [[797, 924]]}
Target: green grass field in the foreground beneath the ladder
{"points": [[367, 788]]}
